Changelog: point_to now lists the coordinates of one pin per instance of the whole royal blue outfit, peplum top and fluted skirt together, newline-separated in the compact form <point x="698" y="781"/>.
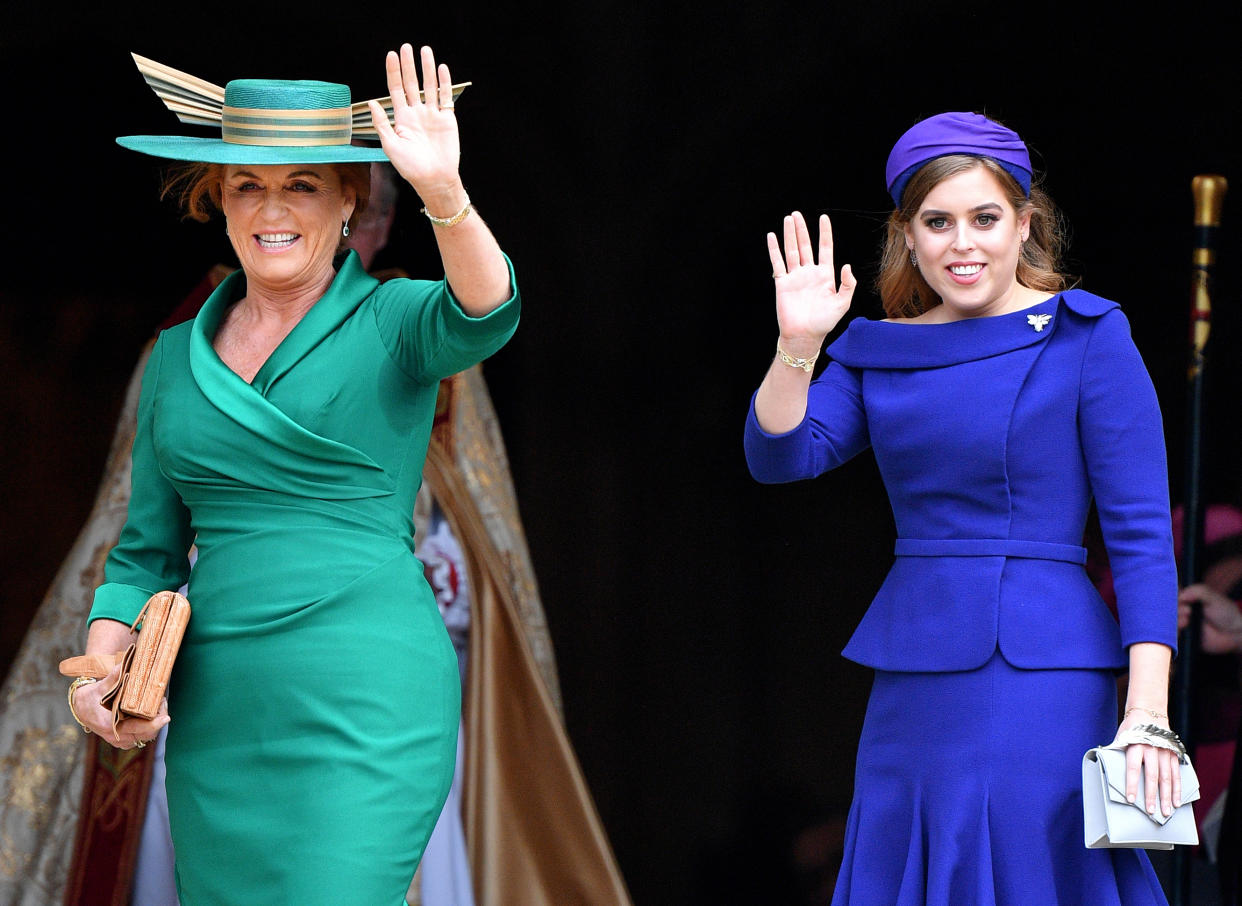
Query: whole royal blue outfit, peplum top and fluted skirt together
<point x="994" y="656"/>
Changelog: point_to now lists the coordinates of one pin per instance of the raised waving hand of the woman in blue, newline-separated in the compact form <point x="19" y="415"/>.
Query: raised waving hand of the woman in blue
<point x="809" y="304"/>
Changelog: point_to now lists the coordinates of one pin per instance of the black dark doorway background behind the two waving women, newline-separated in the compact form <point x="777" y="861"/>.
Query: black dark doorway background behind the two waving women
<point x="630" y="157"/>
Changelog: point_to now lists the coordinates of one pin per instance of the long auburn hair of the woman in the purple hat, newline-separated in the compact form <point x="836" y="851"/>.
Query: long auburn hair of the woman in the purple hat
<point x="905" y="293"/>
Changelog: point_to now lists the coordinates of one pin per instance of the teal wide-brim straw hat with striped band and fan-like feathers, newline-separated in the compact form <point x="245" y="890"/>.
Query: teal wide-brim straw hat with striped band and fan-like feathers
<point x="261" y="121"/>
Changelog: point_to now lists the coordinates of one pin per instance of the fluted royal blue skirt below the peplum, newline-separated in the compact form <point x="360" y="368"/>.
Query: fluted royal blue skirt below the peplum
<point x="968" y="792"/>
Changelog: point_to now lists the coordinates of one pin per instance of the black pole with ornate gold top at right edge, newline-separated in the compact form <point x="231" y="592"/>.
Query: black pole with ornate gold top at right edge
<point x="1209" y="193"/>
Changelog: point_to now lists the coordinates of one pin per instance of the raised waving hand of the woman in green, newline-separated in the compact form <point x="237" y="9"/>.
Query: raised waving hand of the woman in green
<point x="423" y="145"/>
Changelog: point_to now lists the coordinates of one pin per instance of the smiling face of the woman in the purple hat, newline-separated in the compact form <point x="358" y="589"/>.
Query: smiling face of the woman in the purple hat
<point x="968" y="239"/>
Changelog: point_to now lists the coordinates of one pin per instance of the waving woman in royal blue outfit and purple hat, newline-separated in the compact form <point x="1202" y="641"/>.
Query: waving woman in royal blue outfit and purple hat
<point x="998" y="405"/>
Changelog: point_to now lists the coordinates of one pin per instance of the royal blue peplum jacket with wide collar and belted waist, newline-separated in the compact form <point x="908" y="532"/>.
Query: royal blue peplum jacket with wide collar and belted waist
<point x="993" y="436"/>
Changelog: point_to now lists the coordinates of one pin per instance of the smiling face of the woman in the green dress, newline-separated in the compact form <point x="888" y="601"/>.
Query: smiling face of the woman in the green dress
<point x="285" y="222"/>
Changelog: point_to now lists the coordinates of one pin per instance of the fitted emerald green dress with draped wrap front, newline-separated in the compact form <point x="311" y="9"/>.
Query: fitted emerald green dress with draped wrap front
<point x="316" y="699"/>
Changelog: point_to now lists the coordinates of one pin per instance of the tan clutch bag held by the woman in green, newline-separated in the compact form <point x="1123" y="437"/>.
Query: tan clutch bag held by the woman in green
<point x="147" y="664"/>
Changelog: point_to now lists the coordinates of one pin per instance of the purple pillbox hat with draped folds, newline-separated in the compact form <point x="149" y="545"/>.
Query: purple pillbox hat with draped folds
<point x="956" y="134"/>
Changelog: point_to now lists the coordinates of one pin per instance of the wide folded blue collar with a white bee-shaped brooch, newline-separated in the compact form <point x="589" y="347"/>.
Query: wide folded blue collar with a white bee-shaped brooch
<point x="895" y="345"/>
